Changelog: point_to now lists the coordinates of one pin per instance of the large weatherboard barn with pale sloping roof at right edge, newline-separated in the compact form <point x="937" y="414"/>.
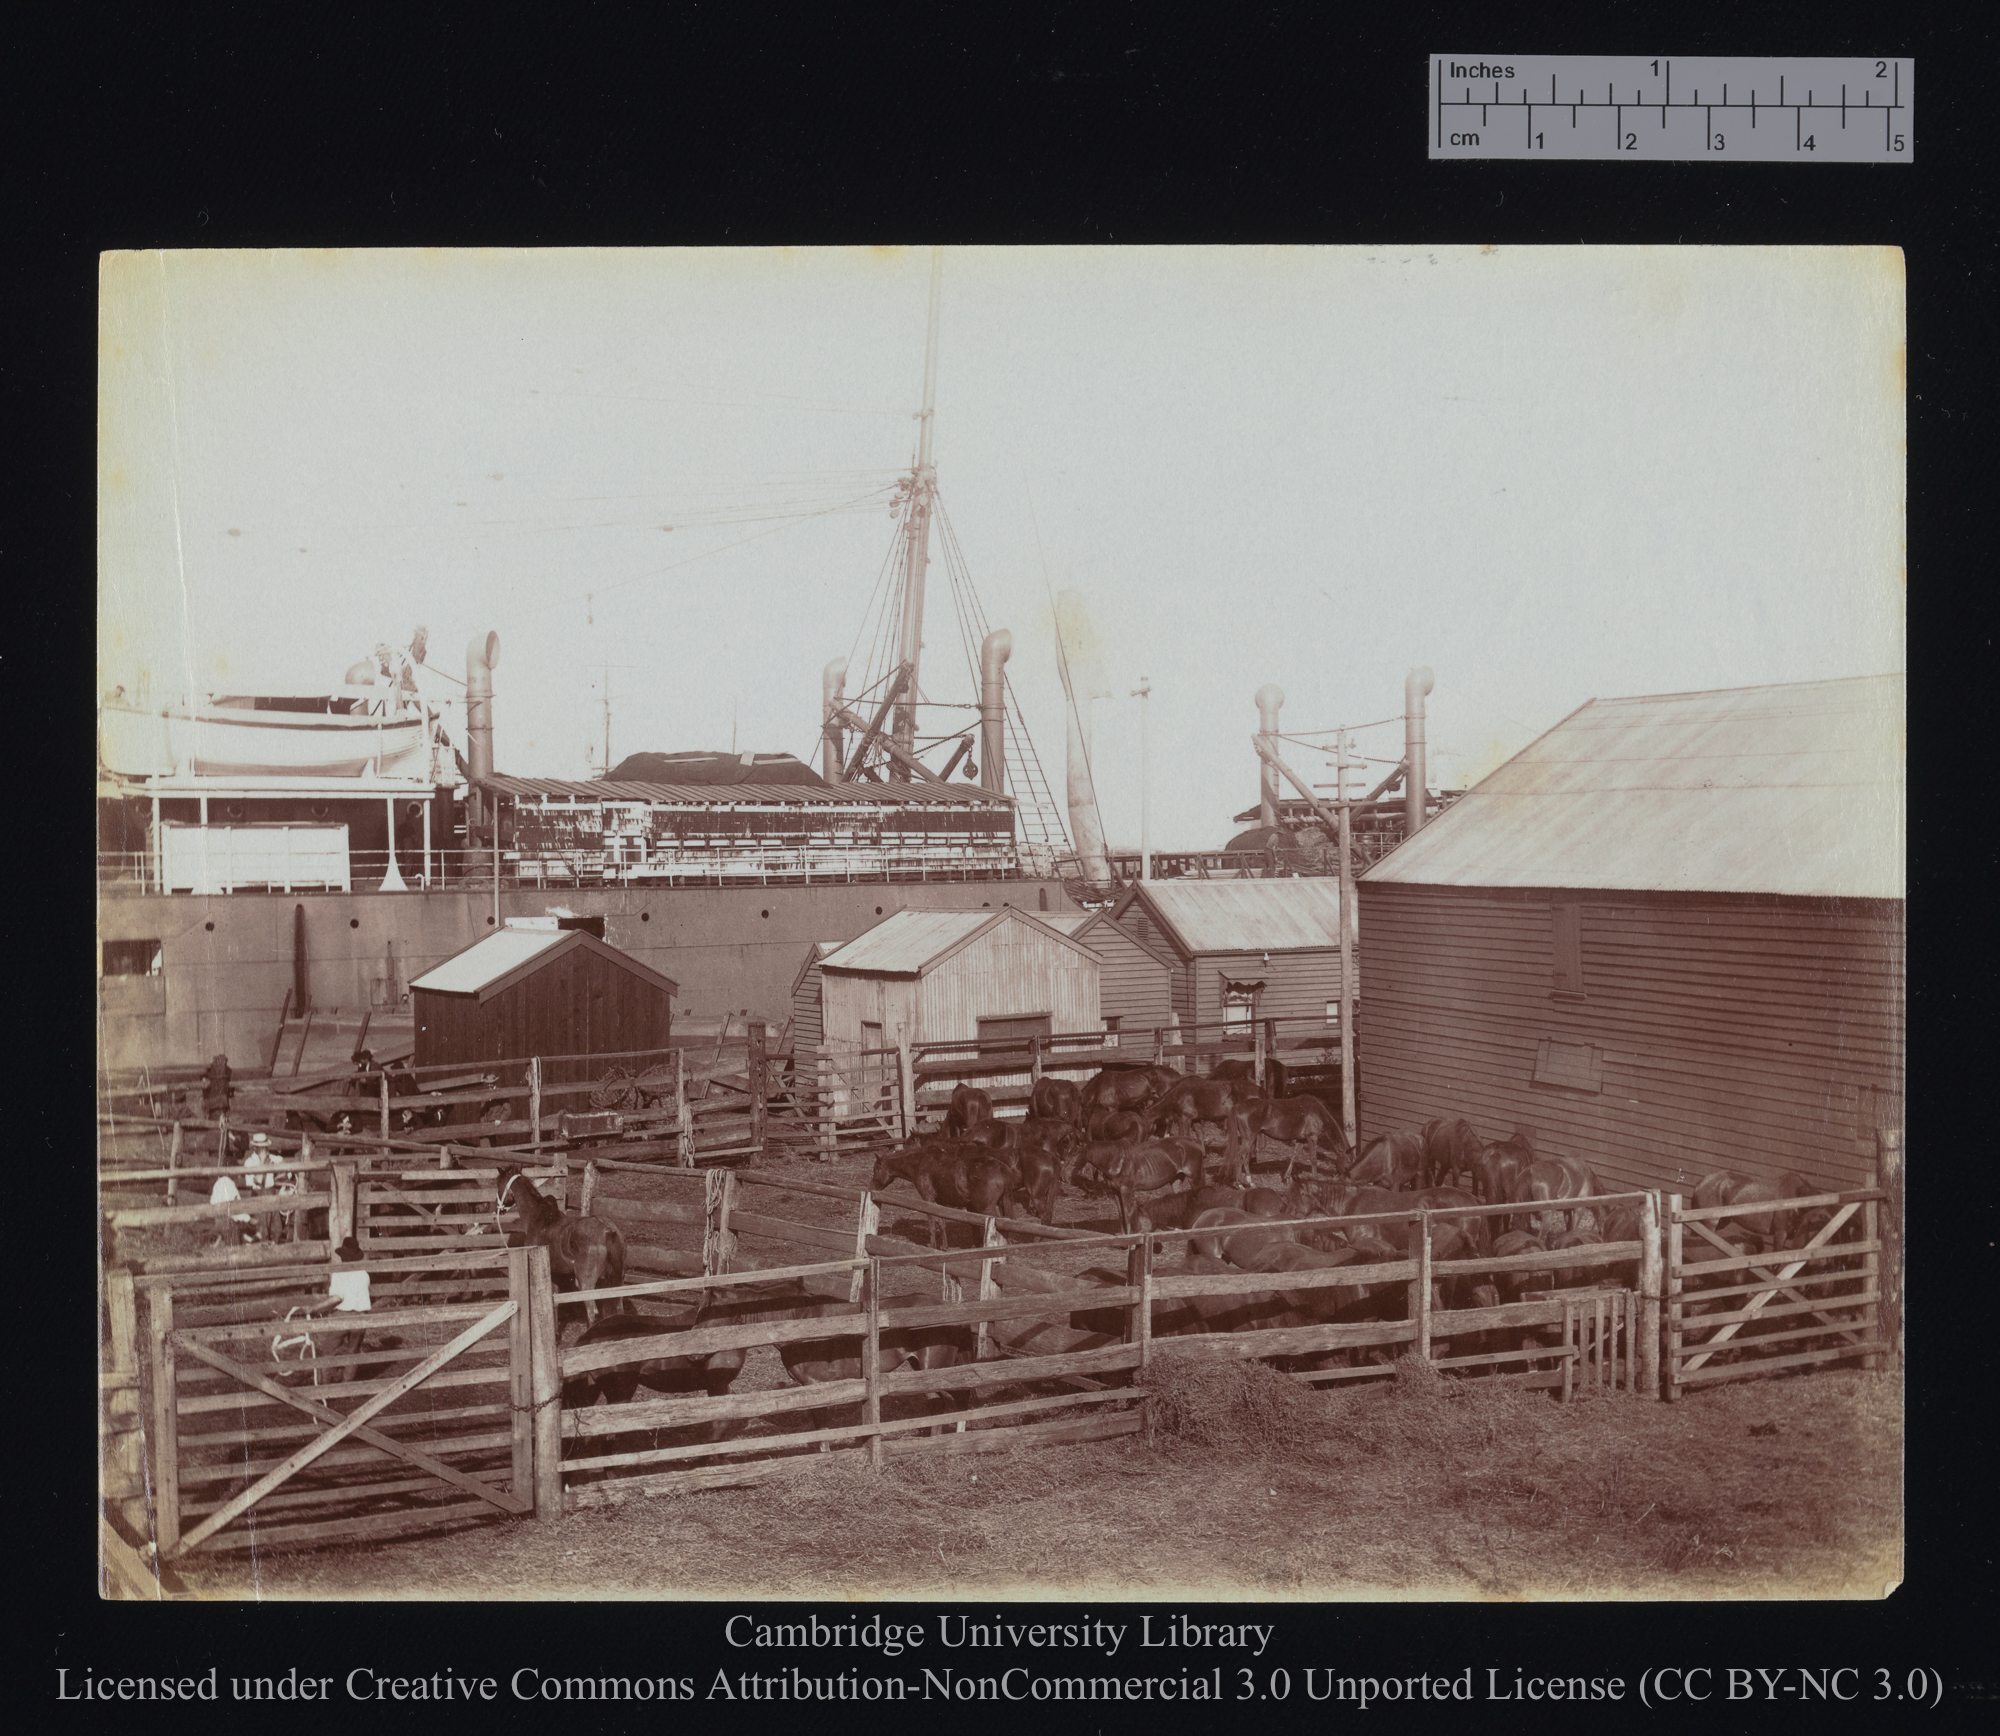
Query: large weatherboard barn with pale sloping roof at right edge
<point x="1669" y="937"/>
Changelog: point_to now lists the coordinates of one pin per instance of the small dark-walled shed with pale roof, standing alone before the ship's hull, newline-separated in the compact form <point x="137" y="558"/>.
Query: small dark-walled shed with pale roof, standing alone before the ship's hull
<point x="541" y="991"/>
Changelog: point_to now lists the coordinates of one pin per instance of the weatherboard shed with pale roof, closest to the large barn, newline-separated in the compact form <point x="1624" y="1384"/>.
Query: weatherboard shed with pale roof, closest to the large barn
<point x="1243" y="949"/>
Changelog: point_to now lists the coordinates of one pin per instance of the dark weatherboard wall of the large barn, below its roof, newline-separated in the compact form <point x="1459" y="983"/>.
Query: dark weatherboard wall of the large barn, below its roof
<point x="1707" y="1031"/>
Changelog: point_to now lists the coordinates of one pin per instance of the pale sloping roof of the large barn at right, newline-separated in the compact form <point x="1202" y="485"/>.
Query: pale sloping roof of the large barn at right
<point x="1793" y="791"/>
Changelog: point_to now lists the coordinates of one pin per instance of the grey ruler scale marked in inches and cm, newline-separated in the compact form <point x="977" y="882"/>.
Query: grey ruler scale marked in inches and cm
<point x="1625" y="109"/>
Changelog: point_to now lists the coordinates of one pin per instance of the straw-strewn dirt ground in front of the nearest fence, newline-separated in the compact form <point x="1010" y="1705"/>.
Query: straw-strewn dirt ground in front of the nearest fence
<point x="1255" y="1489"/>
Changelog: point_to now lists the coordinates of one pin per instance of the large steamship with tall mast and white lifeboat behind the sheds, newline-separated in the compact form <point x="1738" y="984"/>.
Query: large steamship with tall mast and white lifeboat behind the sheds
<point x="275" y="865"/>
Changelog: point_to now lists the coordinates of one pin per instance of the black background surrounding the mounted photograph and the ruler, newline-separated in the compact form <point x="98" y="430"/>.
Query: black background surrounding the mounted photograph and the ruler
<point x="747" y="125"/>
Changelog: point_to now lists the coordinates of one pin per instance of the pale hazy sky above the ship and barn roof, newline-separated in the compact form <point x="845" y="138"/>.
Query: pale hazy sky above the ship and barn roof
<point x="1543" y="473"/>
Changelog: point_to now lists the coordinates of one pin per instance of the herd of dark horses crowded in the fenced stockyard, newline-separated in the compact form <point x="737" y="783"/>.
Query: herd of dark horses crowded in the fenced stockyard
<point x="1145" y="1137"/>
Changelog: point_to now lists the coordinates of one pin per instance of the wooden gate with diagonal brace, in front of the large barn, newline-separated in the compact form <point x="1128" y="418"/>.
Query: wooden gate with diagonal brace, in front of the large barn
<point x="1735" y="1315"/>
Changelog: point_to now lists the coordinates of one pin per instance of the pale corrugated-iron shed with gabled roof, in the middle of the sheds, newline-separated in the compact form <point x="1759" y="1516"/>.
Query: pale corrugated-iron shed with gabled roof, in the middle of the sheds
<point x="957" y="977"/>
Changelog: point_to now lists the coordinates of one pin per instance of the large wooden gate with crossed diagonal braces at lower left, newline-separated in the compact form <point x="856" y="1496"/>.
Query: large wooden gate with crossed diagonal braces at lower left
<point x="279" y="1431"/>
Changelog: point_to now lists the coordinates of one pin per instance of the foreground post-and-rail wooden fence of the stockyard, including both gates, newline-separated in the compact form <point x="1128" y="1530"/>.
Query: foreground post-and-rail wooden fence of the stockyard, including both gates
<point x="239" y="1411"/>
